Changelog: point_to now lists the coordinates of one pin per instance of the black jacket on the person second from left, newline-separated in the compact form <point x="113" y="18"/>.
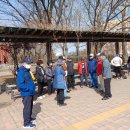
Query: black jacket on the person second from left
<point x="39" y="74"/>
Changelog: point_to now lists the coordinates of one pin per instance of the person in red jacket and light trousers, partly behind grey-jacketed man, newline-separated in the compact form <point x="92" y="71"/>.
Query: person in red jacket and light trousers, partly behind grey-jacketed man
<point x="99" y="73"/>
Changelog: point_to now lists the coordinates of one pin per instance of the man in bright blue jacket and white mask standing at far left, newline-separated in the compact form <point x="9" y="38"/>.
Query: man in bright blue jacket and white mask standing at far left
<point x="27" y="90"/>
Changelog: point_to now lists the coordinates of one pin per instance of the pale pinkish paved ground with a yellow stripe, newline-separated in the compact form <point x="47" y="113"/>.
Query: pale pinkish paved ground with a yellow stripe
<point x="84" y="111"/>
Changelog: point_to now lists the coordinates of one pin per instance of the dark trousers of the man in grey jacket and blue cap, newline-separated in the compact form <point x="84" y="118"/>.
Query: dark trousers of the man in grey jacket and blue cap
<point x="107" y="85"/>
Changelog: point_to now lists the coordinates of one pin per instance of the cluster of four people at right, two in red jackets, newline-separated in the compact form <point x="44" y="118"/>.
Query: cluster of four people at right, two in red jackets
<point x="98" y="70"/>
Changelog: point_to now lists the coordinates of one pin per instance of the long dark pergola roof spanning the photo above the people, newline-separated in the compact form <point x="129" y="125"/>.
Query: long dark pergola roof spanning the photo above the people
<point x="15" y="34"/>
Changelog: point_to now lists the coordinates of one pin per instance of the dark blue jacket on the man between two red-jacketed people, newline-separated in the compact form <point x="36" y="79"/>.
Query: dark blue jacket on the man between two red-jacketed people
<point x="92" y="65"/>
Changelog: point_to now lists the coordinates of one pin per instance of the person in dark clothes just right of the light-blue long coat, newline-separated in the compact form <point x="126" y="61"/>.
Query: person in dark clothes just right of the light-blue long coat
<point x="70" y="74"/>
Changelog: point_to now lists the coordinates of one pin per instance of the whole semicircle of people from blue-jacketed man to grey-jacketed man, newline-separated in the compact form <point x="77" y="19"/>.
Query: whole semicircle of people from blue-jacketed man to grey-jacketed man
<point x="60" y="78"/>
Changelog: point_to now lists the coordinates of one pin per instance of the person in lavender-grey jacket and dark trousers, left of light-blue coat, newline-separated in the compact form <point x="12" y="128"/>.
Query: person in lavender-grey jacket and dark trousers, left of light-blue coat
<point x="49" y="71"/>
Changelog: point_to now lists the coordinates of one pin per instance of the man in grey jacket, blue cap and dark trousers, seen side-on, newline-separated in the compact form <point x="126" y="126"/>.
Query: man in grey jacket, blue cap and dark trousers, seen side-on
<point x="107" y="75"/>
